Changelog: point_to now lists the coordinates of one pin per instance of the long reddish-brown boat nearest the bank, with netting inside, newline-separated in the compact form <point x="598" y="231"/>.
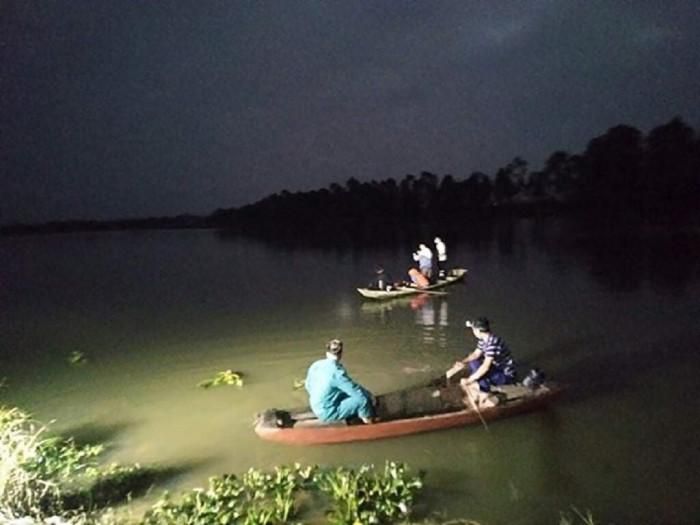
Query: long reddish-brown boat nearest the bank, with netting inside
<point x="409" y="411"/>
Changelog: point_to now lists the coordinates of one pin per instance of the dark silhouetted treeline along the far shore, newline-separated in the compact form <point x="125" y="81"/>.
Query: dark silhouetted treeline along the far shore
<point x="646" y="183"/>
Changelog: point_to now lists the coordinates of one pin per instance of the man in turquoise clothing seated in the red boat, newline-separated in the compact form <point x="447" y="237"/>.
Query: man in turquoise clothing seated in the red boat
<point x="333" y="395"/>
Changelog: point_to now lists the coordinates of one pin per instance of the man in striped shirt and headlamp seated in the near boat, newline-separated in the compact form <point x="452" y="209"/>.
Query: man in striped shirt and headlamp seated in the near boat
<point x="489" y="364"/>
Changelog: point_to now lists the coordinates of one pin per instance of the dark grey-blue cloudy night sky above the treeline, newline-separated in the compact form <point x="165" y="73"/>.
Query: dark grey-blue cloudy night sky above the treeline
<point x="114" y="109"/>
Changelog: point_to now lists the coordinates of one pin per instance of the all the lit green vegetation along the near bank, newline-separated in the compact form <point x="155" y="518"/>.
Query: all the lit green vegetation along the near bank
<point x="52" y="480"/>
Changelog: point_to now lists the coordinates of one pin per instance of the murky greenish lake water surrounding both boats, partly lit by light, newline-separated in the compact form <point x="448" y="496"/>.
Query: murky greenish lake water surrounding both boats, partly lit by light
<point x="155" y="313"/>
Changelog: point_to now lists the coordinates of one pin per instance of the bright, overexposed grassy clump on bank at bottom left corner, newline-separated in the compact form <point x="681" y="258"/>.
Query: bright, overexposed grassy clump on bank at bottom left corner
<point x="44" y="476"/>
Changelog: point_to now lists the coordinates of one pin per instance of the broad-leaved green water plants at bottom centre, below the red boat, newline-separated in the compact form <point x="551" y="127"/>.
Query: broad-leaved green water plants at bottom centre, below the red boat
<point x="366" y="495"/>
